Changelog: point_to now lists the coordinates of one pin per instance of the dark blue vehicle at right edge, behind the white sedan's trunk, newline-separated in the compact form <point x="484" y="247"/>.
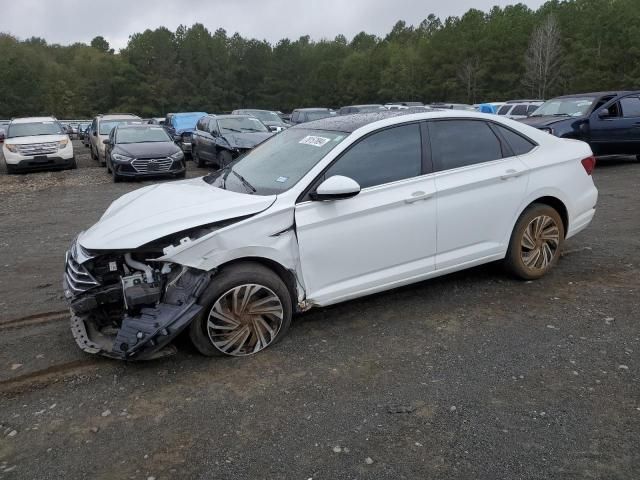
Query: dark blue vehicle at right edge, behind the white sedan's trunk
<point x="608" y="121"/>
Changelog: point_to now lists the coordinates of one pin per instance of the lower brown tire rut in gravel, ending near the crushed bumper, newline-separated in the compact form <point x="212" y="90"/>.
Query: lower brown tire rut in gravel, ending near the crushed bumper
<point x="45" y="377"/>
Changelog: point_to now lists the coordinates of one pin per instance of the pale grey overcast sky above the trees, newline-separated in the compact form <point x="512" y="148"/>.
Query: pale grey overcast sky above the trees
<point x="69" y="21"/>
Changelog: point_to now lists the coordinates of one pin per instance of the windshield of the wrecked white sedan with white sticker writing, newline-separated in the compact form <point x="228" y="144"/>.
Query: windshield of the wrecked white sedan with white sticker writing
<point x="279" y="163"/>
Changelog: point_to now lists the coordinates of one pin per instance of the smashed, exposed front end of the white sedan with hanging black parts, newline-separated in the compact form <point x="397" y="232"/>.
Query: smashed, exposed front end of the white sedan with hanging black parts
<point x="128" y="307"/>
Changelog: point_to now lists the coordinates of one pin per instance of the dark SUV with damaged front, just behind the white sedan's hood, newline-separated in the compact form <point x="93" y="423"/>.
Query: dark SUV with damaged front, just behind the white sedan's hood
<point x="219" y="139"/>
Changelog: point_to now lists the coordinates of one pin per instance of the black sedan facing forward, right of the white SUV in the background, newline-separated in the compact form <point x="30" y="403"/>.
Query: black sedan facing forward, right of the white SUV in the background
<point x="135" y="151"/>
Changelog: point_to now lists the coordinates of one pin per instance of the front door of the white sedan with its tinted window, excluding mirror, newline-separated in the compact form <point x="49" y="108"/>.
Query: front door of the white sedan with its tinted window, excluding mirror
<point x="383" y="236"/>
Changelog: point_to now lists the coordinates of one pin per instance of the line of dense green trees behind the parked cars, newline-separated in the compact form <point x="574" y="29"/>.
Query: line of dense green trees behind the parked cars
<point x="562" y="47"/>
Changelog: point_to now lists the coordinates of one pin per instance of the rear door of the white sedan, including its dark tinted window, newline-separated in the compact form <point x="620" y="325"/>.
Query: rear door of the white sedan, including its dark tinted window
<point x="480" y="186"/>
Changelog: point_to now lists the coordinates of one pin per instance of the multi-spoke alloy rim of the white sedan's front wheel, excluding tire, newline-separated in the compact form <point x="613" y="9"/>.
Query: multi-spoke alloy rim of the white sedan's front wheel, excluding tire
<point x="245" y="320"/>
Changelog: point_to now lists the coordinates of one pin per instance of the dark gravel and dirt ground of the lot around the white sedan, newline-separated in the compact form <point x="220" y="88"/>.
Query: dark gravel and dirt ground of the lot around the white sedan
<point x="473" y="375"/>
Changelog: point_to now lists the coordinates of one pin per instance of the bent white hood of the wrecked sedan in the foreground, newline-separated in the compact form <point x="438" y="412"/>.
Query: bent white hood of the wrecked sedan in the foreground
<point x="155" y="211"/>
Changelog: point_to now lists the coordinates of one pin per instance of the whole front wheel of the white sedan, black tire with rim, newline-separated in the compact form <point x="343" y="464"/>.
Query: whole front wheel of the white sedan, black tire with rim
<point x="265" y="289"/>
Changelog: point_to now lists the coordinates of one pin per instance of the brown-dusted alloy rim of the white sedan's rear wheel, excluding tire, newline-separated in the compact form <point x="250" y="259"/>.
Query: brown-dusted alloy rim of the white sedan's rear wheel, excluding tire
<point x="539" y="243"/>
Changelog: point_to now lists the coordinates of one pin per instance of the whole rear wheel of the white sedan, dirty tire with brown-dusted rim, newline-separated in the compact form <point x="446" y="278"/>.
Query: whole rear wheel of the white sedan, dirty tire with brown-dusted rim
<point x="536" y="242"/>
